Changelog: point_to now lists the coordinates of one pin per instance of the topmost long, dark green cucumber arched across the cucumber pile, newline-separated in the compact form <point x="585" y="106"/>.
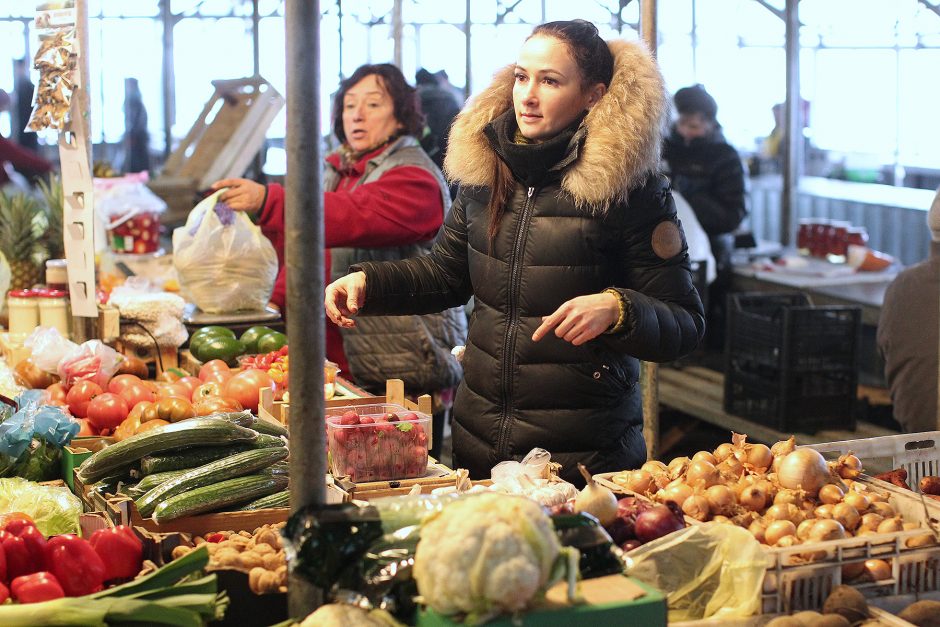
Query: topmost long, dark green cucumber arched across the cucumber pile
<point x="192" y="432"/>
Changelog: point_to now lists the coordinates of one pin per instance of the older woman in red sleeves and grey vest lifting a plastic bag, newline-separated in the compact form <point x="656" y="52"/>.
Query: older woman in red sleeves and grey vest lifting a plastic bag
<point x="383" y="199"/>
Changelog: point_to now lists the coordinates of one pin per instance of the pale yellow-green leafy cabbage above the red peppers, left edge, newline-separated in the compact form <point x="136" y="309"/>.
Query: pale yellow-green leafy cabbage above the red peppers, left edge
<point x="55" y="510"/>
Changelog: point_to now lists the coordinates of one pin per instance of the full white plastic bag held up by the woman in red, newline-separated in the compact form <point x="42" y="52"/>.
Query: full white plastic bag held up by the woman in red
<point x="224" y="262"/>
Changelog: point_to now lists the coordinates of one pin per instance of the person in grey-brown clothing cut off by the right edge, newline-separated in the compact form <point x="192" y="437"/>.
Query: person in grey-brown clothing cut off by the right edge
<point x="908" y="336"/>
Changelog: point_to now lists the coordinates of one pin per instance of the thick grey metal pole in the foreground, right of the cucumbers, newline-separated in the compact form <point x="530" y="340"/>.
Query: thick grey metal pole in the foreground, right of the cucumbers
<point x="304" y="252"/>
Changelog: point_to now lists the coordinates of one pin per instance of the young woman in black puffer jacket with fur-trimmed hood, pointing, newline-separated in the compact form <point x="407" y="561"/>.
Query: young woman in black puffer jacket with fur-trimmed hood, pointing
<point x="567" y="238"/>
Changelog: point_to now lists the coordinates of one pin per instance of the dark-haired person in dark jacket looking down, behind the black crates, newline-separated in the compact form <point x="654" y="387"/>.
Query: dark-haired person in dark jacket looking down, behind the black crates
<point x="707" y="171"/>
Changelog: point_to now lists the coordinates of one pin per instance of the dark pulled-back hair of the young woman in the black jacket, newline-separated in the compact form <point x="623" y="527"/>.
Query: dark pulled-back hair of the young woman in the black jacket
<point x="596" y="64"/>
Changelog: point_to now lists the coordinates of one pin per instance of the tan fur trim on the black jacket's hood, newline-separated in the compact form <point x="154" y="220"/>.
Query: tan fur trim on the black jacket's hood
<point x="624" y="131"/>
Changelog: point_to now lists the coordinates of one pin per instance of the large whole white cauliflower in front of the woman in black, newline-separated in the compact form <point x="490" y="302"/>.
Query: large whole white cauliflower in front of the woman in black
<point x="489" y="553"/>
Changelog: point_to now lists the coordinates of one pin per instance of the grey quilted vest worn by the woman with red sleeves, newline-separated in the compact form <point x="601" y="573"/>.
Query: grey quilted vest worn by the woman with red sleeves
<point x="415" y="349"/>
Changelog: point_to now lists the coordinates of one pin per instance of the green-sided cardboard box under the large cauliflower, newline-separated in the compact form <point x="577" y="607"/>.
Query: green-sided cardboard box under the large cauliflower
<point x="610" y="600"/>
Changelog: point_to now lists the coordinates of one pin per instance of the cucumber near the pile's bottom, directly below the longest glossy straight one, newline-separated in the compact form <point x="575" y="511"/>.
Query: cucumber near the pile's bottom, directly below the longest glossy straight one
<point x="217" y="496"/>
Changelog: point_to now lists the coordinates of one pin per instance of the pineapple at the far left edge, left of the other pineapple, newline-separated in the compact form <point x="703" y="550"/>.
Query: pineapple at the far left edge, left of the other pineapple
<point x="20" y="232"/>
